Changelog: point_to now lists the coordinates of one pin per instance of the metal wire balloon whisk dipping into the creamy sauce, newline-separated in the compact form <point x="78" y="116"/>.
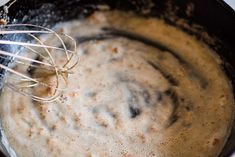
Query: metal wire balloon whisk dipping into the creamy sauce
<point x="40" y="60"/>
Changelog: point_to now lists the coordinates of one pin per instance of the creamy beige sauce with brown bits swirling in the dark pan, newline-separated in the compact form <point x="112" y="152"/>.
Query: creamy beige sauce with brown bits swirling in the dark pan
<point x="127" y="98"/>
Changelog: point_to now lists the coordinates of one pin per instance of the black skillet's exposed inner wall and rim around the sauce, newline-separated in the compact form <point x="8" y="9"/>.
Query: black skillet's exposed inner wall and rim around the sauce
<point x="210" y="18"/>
